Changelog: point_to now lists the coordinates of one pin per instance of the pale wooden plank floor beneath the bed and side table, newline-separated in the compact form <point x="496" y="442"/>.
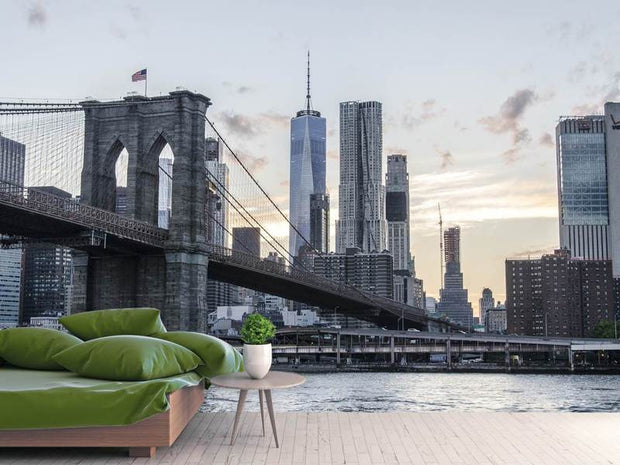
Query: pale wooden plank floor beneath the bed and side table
<point x="374" y="438"/>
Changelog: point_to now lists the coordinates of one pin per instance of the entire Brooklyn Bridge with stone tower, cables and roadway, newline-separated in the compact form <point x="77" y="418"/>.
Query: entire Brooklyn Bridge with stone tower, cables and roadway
<point x="129" y="260"/>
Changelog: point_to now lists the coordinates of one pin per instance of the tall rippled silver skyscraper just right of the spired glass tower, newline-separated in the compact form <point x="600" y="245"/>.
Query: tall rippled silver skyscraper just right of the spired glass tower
<point x="361" y="200"/>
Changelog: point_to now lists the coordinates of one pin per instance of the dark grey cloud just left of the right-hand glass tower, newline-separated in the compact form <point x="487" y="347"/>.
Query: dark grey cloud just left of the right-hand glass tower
<point x="507" y="121"/>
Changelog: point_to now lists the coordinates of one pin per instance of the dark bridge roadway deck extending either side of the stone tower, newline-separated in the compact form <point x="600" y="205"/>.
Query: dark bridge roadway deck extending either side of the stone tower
<point x="29" y="214"/>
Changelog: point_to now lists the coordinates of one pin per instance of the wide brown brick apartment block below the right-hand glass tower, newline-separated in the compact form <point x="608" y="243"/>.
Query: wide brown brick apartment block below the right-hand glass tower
<point x="557" y="295"/>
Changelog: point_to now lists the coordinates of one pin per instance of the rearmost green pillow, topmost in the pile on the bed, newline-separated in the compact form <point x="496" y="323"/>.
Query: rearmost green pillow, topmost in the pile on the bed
<point x="101" y="323"/>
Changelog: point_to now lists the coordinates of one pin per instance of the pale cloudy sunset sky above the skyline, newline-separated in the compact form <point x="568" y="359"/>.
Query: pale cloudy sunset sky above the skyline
<point x="471" y="93"/>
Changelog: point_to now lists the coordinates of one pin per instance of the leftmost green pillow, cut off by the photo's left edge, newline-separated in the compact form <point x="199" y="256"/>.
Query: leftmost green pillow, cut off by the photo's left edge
<point x="34" y="348"/>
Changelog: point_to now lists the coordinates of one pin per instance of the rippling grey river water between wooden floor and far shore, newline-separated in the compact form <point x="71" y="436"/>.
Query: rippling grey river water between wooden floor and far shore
<point x="379" y="392"/>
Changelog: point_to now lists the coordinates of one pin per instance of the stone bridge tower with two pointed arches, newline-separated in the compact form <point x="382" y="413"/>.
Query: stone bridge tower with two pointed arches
<point x="175" y="279"/>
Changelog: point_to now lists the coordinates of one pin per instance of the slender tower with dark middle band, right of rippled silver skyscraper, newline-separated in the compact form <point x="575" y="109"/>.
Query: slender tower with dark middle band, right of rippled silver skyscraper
<point x="397" y="212"/>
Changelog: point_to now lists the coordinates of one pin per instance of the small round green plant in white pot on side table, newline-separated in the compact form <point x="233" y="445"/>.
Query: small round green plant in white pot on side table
<point x="256" y="333"/>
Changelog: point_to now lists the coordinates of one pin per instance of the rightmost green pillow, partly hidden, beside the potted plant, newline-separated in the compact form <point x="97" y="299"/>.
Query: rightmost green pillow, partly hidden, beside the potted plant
<point x="219" y="357"/>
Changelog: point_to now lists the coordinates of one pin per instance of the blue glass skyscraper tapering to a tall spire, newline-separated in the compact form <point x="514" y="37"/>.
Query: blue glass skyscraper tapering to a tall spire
<point x="308" y="166"/>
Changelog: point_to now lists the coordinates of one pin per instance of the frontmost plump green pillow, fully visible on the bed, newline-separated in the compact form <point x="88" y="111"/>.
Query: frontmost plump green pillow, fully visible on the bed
<point x="128" y="358"/>
